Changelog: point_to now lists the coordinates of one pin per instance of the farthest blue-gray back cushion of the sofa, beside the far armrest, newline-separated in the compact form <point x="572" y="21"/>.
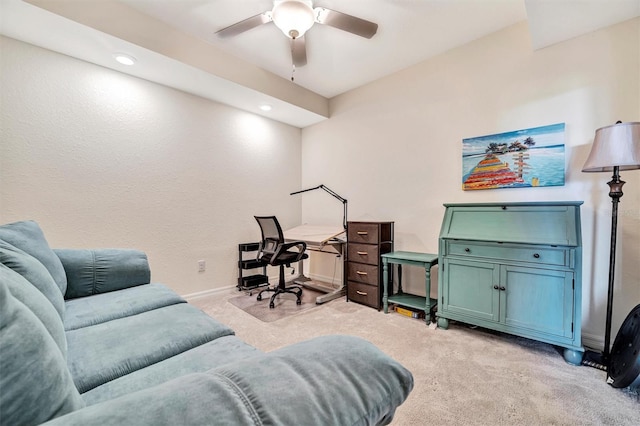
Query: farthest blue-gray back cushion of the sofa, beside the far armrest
<point x="28" y="237"/>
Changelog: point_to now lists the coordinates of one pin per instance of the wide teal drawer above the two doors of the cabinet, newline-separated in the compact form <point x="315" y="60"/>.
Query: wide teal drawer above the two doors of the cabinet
<point x="541" y="255"/>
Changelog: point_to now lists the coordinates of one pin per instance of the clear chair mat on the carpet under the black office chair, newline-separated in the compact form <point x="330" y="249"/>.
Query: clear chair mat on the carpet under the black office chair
<point x="285" y="304"/>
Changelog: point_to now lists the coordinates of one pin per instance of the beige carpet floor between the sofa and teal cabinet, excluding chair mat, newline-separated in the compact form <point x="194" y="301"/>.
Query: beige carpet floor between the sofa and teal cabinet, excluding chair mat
<point x="463" y="376"/>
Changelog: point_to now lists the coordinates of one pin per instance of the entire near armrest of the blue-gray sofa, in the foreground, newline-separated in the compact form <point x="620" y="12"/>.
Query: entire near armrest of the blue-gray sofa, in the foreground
<point x="330" y="380"/>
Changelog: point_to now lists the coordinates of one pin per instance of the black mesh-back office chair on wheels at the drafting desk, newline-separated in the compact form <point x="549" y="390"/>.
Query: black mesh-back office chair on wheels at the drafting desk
<point x="276" y="252"/>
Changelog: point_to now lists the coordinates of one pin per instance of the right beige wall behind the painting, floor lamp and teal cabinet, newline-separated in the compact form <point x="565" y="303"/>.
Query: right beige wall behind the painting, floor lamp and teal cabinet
<point x="393" y="148"/>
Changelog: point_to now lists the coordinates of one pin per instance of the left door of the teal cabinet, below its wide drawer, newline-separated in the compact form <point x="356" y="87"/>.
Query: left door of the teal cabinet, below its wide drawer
<point x="469" y="289"/>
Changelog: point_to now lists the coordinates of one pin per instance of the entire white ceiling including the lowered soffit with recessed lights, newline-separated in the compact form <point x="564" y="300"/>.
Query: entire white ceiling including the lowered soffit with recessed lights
<point x="255" y="67"/>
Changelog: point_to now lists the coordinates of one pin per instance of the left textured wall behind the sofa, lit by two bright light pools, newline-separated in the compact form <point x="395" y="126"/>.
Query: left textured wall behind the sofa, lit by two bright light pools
<point x="103" y="159"/>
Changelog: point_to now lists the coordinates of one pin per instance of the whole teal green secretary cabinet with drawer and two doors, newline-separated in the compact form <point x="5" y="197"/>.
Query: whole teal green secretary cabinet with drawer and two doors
<point x="515" y="268"/>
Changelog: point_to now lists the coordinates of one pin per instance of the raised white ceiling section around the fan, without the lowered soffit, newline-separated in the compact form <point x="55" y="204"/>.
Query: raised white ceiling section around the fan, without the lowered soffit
<point x="409" y="32"/>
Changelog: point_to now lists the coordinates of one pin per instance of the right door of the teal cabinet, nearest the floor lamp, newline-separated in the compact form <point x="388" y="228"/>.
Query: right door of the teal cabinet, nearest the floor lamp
<point x="537" y="299"/>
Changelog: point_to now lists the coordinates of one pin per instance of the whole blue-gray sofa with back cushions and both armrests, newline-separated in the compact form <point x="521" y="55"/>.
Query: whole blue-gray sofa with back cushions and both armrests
<point x="86" y="339"/>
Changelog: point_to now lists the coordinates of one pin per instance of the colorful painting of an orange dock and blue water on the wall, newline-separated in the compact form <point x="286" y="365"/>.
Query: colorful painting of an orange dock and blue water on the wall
<point x="518" y="159"/>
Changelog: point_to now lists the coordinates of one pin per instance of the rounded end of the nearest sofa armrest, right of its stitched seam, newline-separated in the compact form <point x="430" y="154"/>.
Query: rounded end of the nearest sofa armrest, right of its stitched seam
<point x="329" y="380"/>
